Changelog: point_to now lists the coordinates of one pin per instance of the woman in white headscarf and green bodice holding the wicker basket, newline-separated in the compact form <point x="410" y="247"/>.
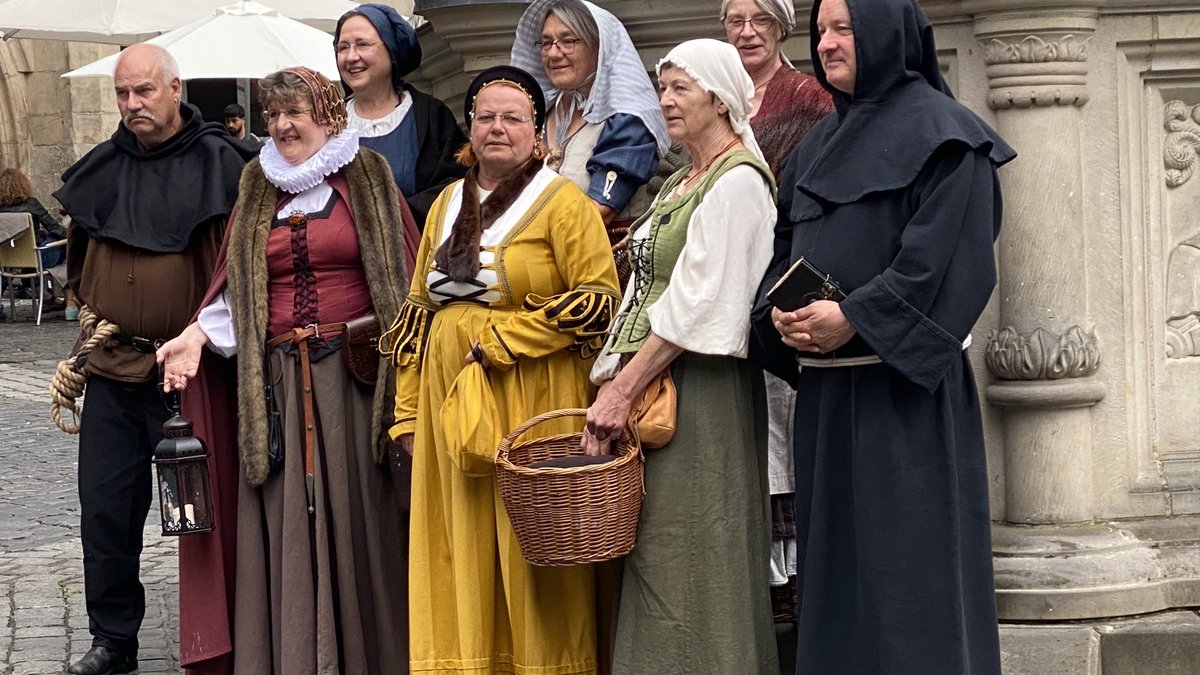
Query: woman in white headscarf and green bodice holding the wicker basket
<point x="694" y="595"/>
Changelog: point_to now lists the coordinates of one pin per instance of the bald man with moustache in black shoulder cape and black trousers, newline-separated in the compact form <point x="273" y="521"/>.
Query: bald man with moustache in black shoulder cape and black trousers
<point x="148" y="208"/>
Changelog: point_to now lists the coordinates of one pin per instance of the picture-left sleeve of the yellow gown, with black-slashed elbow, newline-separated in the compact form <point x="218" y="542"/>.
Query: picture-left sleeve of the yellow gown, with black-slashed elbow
<point x="404" y="343"/>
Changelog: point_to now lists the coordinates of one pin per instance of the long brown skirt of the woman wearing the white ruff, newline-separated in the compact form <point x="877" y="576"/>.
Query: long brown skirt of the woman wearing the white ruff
<point x="327" y="593"/>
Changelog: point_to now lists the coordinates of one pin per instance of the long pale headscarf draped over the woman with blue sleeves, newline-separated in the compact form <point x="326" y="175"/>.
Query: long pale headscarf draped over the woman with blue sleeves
<point x="621" y="85"/>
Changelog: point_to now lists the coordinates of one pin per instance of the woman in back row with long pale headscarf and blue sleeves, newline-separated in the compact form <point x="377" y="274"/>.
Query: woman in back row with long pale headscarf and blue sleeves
<point x="604" y="130"/>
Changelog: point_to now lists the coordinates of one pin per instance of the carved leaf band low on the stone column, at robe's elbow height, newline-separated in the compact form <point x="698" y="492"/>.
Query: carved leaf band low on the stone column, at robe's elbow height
<point x="1041" y="355"/>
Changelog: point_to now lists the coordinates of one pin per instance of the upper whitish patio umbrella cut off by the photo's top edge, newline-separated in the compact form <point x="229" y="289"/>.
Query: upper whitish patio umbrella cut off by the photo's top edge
<point x="125" y="22"/>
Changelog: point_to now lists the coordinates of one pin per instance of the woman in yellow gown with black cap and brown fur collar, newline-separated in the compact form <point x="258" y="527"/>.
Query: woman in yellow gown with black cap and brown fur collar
<point x="511" y="301"/>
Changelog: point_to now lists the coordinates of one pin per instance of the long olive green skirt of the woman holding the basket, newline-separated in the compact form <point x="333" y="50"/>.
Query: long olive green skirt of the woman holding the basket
<point x="694" y="595"/>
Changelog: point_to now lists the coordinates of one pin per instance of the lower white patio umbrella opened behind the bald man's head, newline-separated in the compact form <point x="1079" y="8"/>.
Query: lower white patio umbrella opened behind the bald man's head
<point x="247" y="40"/>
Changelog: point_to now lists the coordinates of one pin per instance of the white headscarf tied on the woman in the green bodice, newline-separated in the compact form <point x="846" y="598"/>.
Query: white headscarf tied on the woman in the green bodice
<point x="717" y="69"/>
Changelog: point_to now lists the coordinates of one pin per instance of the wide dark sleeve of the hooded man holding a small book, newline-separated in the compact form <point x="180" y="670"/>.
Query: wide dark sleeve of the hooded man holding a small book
<point x="917" y="313"/>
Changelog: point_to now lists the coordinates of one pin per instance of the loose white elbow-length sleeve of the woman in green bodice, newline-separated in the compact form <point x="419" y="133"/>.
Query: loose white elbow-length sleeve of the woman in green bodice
<point x="706" y="307"/>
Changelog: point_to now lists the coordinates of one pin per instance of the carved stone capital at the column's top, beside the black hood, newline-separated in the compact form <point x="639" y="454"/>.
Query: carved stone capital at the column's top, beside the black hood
<point x="1037" y="58"/>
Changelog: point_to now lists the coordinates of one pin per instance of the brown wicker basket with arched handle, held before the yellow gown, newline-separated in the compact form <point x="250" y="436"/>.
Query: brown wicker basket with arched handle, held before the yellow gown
<point x="571" y="516"/>
